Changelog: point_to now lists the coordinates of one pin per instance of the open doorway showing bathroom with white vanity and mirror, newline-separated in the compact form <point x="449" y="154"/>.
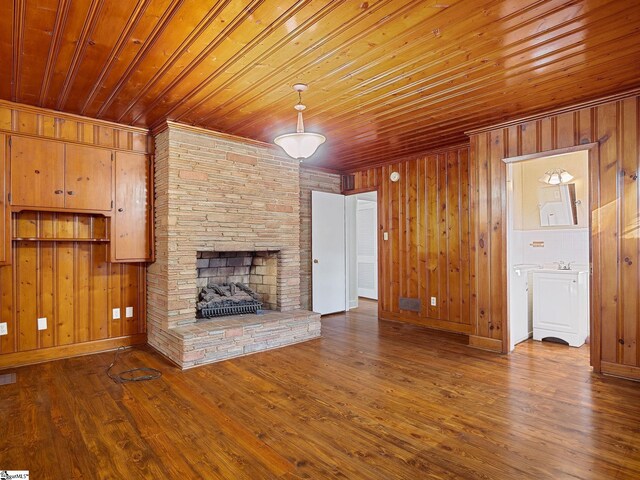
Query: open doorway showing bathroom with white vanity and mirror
<point x="548" y="255"/>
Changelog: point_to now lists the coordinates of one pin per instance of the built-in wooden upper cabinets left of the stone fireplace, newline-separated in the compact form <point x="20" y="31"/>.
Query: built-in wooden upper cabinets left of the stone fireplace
<point x="59" y="176"/>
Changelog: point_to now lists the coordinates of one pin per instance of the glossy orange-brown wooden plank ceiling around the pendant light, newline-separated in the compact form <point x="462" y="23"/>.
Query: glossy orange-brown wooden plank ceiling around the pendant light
<point x="388" y="78"/>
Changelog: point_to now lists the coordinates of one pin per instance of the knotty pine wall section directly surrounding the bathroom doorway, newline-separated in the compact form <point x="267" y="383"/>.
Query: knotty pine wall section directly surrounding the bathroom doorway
<point x="615" y="242"/>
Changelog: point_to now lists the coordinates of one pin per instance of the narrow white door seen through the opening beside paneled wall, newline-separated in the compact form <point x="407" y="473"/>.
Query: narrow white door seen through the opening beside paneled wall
<point x="367" y="249"/>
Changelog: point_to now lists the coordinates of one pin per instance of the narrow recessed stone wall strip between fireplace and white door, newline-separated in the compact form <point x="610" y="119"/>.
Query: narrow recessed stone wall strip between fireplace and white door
<point x="319" y="181"/>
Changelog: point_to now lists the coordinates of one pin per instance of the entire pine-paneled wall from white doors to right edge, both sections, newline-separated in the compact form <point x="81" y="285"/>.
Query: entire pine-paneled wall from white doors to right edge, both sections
<point x="447" y="222"/>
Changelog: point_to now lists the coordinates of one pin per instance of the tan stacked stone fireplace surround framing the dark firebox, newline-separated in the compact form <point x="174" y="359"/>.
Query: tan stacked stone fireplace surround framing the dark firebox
<point x="216" y="193"/>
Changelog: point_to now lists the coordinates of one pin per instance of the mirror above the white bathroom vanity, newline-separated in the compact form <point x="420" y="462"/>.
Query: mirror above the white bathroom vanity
<point x="558" y="205"/>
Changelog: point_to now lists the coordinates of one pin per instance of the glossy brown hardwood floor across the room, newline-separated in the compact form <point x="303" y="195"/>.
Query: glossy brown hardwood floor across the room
<point x="368" y="400"/>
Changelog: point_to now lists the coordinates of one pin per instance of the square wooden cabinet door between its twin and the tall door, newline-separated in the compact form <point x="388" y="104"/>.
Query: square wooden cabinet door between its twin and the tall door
<point x="87" y="178"/>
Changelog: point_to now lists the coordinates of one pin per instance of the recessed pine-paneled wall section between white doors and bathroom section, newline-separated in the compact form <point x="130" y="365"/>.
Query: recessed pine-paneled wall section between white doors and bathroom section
<point x="427" y="216"/>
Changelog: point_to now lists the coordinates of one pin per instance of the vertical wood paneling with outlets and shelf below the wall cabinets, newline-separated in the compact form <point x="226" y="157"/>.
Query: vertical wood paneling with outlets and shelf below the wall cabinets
<point x="69" y="282"/>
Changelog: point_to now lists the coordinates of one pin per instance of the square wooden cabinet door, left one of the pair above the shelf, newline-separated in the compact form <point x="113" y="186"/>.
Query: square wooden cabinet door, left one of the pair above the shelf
<point x="37" y="173"/>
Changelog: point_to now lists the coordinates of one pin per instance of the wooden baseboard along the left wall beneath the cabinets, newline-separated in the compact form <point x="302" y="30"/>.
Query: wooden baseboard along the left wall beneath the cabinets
<point x="19" y="359"/>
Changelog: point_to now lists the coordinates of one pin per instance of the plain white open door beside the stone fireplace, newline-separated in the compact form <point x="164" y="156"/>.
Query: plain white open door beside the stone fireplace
<point x="328" y="253"/>
